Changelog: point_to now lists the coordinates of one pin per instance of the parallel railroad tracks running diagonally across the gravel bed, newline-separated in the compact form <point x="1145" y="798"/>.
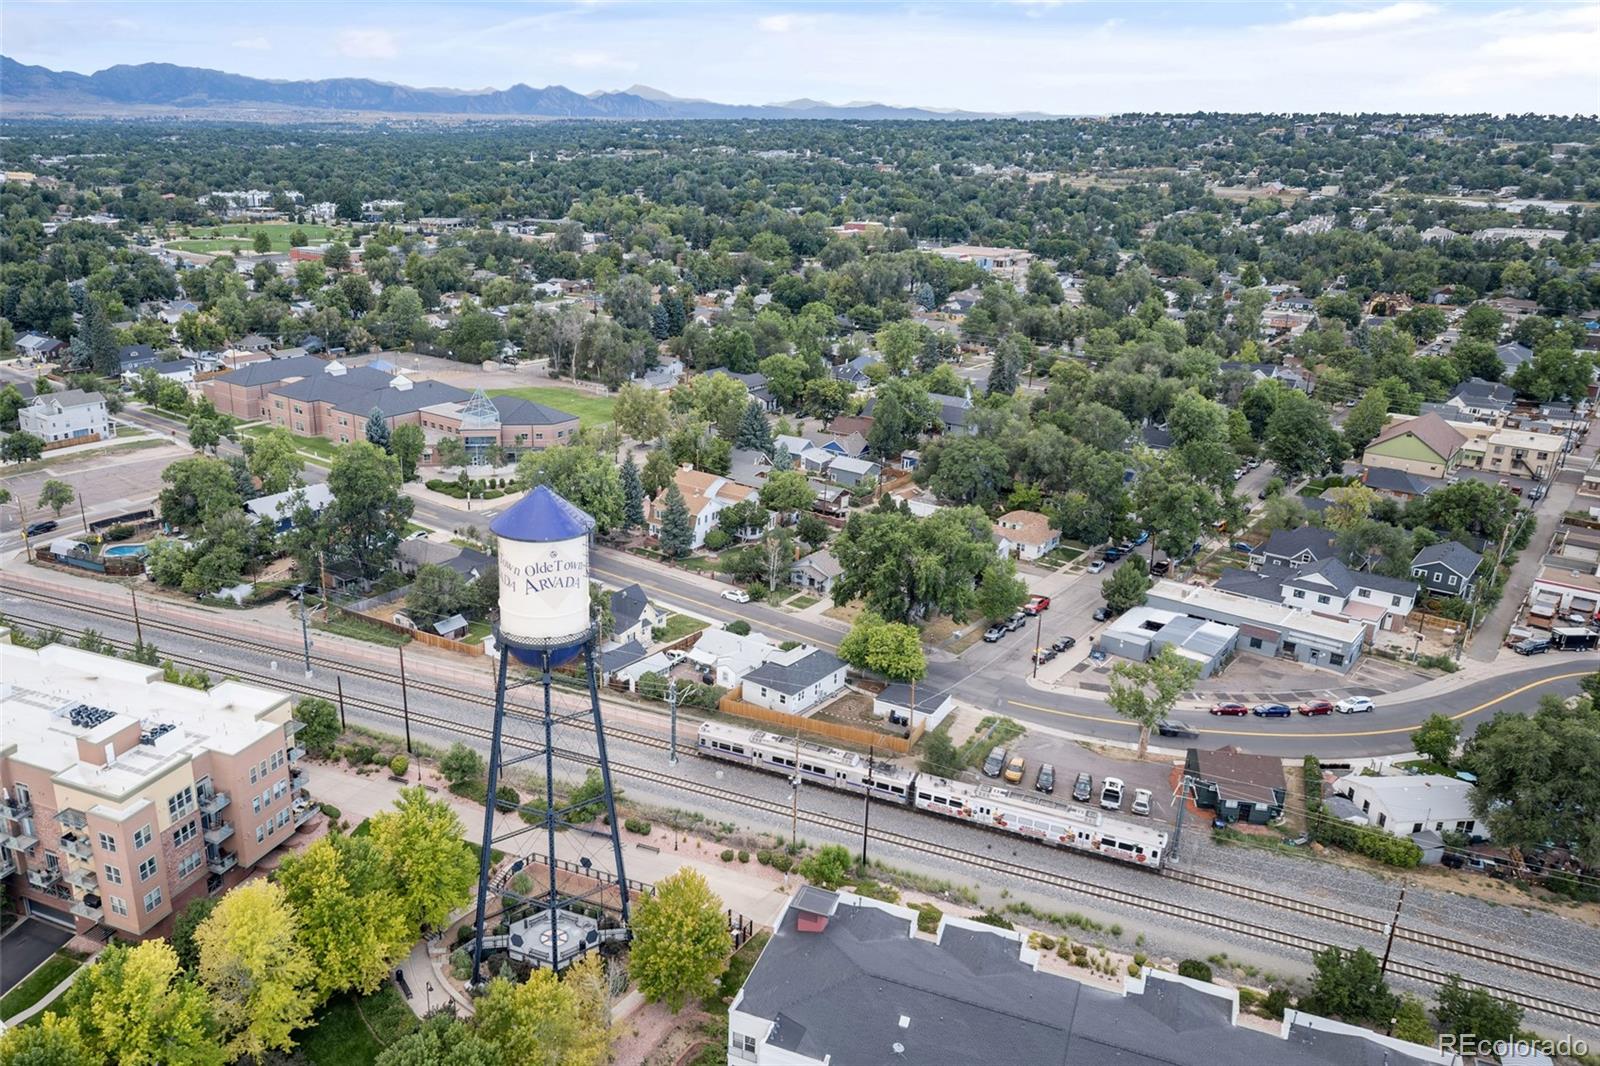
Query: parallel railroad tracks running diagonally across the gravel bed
<point x="1548" y="971"/>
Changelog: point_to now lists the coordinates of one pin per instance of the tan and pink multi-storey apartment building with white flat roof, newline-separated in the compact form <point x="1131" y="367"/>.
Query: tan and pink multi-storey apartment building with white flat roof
<point x="124" y="798"/>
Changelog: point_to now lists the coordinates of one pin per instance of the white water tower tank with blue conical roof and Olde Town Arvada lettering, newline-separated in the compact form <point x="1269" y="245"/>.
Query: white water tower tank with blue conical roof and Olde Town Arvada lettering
<point x="543" y="574"/>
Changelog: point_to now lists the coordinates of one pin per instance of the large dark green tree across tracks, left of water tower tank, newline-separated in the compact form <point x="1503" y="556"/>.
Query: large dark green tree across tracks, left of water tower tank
<point x="369" y="515"/>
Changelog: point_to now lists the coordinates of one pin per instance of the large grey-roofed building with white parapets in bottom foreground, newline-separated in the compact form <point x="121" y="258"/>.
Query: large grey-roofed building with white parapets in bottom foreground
<point x="849" y="980"/>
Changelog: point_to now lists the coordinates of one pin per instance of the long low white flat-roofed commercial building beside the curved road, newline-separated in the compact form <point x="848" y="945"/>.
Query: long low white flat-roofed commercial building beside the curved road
<point x="1265" y="628"/>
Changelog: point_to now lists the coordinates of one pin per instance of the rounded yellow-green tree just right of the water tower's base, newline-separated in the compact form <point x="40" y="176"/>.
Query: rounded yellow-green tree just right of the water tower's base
<point x="681" y="940"/>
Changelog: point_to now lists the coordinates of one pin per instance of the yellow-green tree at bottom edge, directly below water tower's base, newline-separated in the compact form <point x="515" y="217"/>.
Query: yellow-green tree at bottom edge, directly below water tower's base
<point x="542" y="1020"/>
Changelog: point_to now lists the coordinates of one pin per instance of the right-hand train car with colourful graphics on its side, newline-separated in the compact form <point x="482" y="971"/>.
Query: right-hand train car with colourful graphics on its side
<point x="1076" y="828"/>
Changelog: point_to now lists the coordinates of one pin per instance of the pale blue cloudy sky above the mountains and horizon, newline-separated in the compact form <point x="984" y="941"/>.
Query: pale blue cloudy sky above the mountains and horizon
<point x="1028" y="55"/>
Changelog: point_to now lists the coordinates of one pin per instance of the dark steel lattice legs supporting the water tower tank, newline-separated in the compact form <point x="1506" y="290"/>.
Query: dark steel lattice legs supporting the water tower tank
<point x="570" y="936"/>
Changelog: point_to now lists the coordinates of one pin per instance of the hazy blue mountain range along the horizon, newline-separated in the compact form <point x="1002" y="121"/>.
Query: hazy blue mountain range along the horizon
<point x="164" y="87"/>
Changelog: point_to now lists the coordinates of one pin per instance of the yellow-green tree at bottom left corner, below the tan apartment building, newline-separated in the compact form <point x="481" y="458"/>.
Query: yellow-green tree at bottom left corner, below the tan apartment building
<point x="137" y="1006"/>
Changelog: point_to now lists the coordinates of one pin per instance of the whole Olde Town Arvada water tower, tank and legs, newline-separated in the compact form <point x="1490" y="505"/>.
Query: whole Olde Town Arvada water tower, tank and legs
<point x="546" y="623"/>
